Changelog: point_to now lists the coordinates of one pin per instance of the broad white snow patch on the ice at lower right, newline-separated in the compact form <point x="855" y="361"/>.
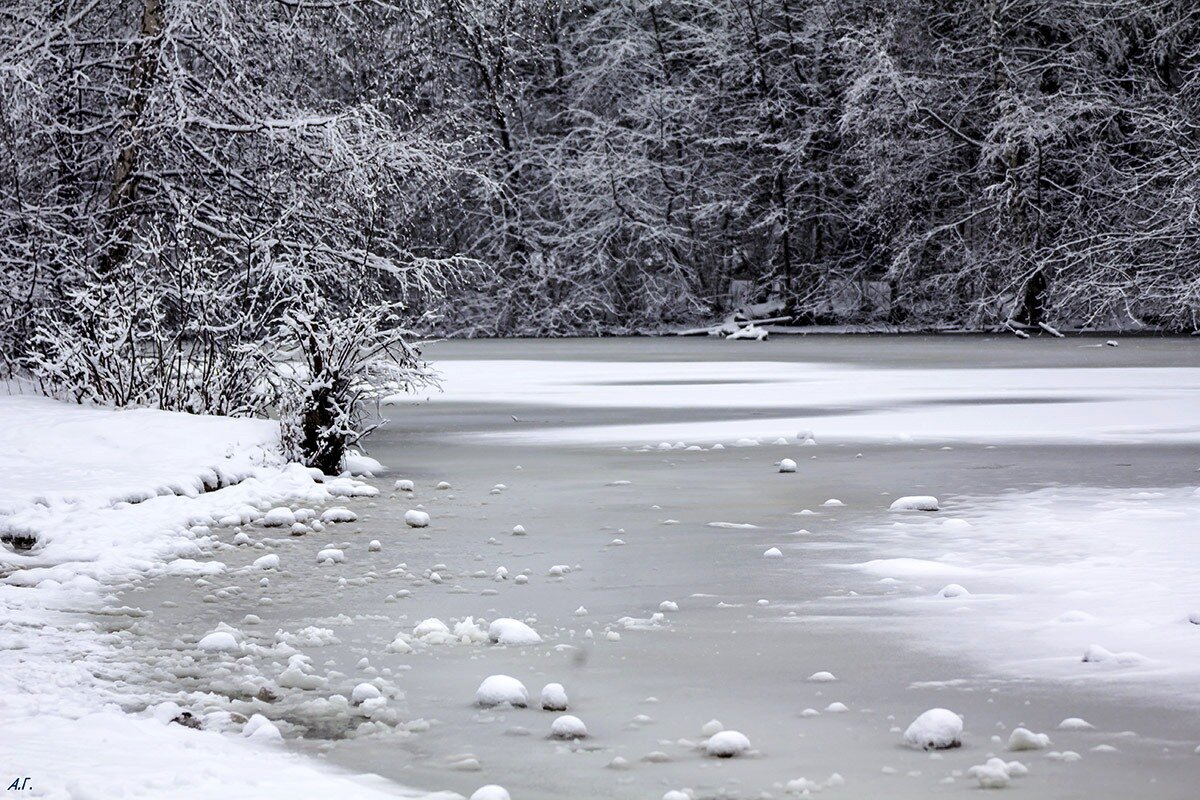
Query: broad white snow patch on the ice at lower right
<point x="1073" y="585"/>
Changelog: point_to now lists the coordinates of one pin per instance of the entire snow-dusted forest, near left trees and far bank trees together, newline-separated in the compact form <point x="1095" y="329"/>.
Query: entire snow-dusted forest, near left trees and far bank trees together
<point x="219" y="171"/>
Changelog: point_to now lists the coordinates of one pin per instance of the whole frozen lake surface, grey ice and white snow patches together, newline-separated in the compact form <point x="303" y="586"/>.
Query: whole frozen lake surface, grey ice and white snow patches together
<point x="1066" y="473"/>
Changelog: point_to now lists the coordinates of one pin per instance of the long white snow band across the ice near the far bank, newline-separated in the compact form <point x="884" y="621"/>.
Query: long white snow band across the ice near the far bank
<point x="1053" y="405"/>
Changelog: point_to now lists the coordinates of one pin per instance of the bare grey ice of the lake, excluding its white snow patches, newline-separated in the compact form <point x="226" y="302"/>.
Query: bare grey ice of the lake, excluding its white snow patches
<point x="748" y="633"/>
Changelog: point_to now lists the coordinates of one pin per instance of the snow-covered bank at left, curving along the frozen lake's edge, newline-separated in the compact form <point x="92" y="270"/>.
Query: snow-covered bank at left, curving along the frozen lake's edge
<point x="112" y="498"/>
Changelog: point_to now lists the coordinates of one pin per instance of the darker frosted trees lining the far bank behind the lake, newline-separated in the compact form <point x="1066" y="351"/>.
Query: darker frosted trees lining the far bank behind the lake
<point x="926" y="164"/>
